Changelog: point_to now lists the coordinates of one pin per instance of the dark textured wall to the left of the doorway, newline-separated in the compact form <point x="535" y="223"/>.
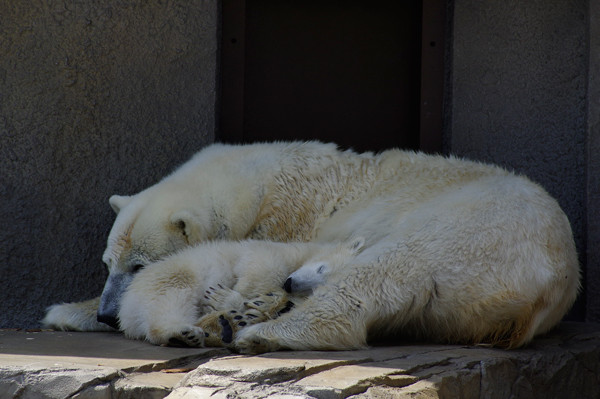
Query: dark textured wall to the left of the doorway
<point x="96" y="98"/>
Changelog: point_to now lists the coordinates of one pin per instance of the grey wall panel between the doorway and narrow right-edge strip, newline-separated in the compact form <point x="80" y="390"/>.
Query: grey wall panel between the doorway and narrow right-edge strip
<point x="519" y="71"/>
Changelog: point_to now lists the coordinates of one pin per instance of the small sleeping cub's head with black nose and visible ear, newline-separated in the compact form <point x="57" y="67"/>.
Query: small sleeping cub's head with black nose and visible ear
<point x="321" y="266"/>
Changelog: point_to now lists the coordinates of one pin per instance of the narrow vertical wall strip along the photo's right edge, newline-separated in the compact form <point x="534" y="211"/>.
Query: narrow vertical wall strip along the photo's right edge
<point x="593" y="166"/>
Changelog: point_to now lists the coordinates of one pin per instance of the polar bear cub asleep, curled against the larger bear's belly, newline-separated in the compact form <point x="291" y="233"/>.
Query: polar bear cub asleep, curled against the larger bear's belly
<point x="165" y="302"/>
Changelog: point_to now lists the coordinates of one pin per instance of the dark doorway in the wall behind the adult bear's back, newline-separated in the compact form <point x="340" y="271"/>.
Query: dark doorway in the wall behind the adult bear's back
<point x="342" y="71"/>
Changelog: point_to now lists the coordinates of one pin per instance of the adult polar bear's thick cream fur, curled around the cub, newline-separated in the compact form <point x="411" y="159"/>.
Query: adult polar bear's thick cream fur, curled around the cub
<point x="454" y="250"/>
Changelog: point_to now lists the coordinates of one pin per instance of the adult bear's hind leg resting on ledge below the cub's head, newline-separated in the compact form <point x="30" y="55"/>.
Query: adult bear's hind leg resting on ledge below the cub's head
<point x="330" y="319"/>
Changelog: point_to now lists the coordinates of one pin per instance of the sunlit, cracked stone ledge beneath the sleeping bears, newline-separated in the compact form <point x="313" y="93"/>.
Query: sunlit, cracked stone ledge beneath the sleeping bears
<point x="563" y="364"/>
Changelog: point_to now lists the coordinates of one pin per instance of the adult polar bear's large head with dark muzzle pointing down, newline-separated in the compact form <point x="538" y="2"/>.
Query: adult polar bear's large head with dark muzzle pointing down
<point x="148" y="227"/>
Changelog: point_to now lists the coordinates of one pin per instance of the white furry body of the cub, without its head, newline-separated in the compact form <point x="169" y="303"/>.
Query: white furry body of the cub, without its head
<point x="167" y="297"/>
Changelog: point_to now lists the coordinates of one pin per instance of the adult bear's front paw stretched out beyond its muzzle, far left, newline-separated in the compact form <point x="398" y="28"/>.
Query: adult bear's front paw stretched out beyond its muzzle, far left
<point x="76" y="316"/>
